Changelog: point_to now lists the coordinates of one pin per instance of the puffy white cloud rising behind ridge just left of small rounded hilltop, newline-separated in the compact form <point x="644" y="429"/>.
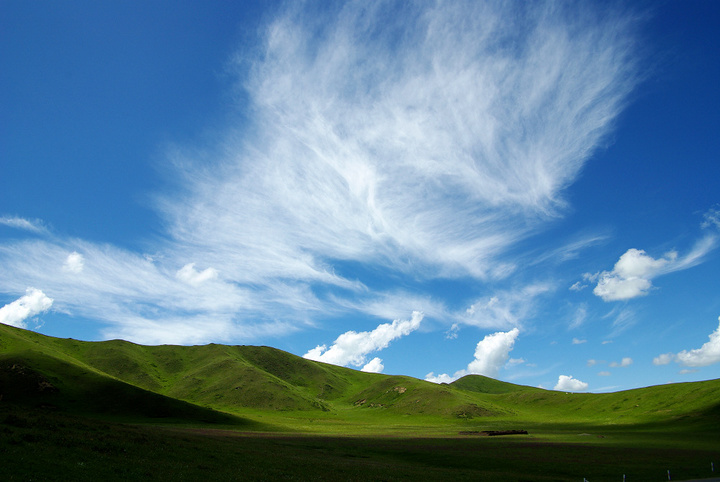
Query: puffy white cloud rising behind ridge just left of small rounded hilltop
<point x="491" y="354"/>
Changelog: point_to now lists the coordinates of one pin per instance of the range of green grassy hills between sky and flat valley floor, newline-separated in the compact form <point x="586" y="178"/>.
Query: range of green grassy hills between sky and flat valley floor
<point x="220" y="383"/>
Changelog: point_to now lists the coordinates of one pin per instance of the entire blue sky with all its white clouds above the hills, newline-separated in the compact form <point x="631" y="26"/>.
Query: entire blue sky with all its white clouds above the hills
<point x="528" y="191"/>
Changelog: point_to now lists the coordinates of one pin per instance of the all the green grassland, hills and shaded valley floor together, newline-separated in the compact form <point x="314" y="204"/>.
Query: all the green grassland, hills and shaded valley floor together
<point x="117" y="411"/>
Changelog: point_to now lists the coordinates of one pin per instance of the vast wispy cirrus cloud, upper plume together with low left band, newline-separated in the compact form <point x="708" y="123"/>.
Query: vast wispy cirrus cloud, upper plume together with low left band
<point x="422" y="140"/>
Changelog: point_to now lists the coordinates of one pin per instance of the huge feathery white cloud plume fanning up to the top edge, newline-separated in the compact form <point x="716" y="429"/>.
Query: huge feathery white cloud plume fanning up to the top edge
<point x="429" y="164"/>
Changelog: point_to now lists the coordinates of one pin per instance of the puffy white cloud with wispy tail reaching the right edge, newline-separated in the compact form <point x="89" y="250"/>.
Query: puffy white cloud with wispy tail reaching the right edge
<point x="633" y="273"/>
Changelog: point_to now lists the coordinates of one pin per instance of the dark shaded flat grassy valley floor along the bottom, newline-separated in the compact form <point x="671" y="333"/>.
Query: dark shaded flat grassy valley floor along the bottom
<point x="41" y="445"/>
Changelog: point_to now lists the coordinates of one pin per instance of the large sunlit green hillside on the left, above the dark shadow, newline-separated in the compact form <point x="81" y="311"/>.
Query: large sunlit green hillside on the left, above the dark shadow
<point x="231" y="378"/>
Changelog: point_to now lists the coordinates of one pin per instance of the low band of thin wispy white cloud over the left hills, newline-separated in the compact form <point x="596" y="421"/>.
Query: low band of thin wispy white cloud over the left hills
<point x="138" y="299"/>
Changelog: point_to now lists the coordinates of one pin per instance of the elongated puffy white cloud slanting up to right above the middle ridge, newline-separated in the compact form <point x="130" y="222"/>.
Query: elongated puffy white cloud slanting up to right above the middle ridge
<point x="351" y="348"/>
